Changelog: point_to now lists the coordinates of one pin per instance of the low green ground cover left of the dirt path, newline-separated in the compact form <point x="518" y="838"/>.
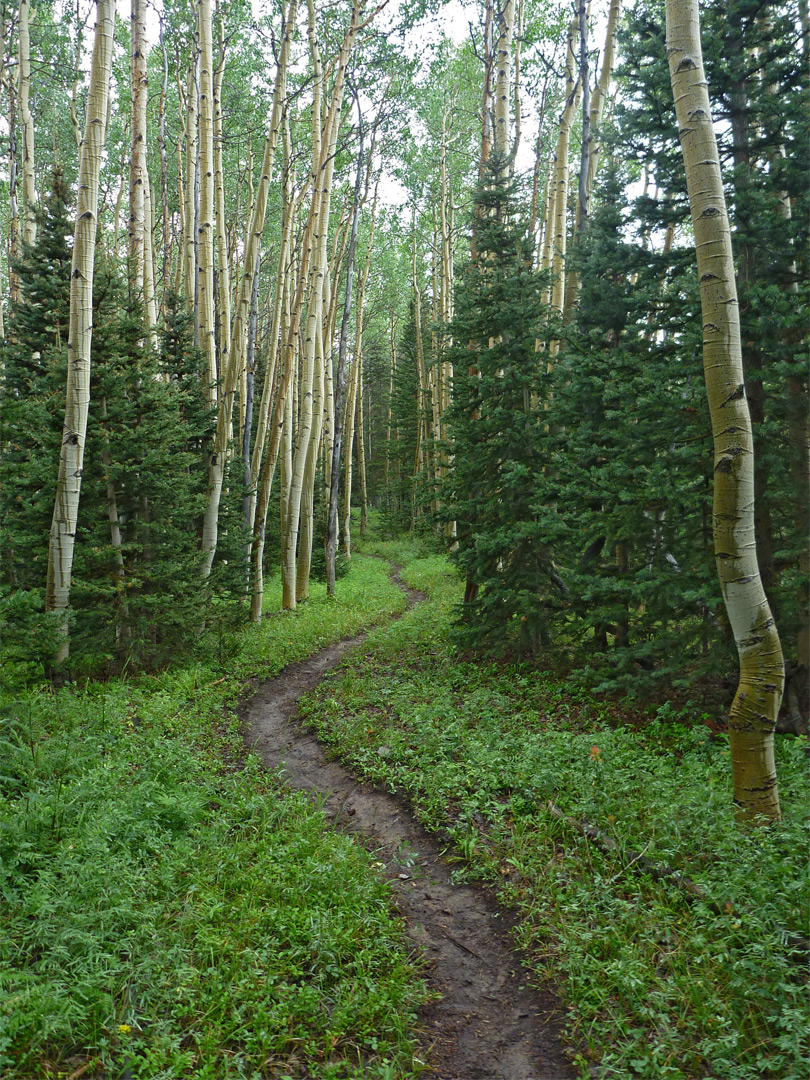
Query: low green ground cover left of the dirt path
<point x="168" y="910"/>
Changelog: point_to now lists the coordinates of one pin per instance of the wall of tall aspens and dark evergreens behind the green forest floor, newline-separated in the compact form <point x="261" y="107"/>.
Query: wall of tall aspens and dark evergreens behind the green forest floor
<point x="440" y="265"/>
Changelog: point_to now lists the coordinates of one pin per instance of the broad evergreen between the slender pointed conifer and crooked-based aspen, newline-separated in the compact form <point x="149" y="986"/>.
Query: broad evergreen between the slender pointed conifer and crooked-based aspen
<point x="630" y="491"/>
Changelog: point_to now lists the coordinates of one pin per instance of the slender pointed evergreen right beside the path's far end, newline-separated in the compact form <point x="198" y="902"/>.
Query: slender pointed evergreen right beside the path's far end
<point x="497" y="430"/>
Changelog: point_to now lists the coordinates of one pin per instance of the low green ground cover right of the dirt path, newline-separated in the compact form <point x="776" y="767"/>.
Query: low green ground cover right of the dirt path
<point x="659" y="984"/>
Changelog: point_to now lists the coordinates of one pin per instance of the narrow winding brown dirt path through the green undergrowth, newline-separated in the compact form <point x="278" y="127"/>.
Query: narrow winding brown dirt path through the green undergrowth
<point x="489" y="1024"/>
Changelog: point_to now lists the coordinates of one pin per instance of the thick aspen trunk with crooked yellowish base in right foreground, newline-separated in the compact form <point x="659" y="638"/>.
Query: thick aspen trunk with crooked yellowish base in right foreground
<point x="753" y="714"/>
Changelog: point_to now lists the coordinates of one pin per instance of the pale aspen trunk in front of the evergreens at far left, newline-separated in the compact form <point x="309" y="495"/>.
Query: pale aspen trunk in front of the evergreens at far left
<point x="77" y="401"/>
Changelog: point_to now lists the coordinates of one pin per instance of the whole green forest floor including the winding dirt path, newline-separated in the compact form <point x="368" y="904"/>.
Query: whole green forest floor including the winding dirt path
<point x="406" y="883"/>
